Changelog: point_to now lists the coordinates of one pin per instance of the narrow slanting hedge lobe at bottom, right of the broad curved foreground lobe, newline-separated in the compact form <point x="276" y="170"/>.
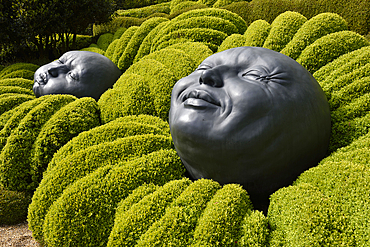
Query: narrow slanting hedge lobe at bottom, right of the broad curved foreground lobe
<point x="144" y="213"/>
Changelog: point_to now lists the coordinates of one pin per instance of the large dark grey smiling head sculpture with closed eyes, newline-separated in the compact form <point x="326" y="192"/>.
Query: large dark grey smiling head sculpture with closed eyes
<point x="251" y="116"/>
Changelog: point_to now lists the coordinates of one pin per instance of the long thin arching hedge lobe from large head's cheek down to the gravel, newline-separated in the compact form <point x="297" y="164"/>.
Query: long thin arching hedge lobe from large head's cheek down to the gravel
<point x="81" y="163"/>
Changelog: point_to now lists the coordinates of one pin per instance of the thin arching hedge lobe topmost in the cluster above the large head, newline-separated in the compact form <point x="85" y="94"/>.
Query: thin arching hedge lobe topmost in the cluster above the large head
<point x="220" y="13"/>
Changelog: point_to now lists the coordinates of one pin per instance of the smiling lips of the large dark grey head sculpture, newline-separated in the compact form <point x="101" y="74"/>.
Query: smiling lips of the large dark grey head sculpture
<point x="200" y="98"/>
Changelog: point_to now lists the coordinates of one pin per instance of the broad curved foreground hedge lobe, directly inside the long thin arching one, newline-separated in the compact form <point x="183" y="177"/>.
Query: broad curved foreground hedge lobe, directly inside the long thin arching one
<point x="94" y="198"/>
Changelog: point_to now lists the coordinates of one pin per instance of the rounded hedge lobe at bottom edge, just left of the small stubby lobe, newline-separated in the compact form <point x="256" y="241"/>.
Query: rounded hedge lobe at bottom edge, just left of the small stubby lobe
<point x="220" y="223"/>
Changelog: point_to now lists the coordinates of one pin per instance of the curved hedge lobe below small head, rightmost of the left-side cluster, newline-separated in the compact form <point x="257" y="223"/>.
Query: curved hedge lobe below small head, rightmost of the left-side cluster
<point x="72" y="119"/>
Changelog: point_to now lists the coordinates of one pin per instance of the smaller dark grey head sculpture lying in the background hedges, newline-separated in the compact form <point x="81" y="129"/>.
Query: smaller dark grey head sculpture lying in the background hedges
<point x="79" y="73"/>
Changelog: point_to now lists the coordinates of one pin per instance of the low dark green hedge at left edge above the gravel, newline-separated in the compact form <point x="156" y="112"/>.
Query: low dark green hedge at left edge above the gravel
<point x="13" y="207"/>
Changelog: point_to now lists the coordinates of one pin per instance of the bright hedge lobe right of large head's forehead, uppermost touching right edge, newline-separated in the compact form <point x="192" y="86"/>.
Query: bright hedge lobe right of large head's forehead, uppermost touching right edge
<point x="329" y="47"/>
